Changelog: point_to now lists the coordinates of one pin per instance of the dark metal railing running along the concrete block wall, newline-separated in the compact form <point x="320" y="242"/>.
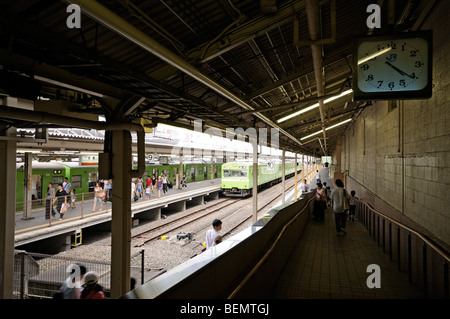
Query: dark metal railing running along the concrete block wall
<point x="426" y="264"/>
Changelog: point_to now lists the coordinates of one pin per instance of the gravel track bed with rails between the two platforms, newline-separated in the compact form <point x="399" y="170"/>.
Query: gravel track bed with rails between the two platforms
<point x="169" y="253"/>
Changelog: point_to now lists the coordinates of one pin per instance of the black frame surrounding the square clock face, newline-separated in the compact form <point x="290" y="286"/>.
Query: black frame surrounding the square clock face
<point x="424" y="93"/>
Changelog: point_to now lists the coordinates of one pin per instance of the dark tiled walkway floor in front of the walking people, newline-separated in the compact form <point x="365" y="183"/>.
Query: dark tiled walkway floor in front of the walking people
<point x="327" y="266"/>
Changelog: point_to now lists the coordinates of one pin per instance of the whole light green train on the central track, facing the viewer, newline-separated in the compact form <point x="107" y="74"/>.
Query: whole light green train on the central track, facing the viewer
<point x="237" y="177"/>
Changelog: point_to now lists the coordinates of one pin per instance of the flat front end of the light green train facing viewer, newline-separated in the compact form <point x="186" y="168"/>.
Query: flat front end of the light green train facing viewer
<point x="236" y="179"/>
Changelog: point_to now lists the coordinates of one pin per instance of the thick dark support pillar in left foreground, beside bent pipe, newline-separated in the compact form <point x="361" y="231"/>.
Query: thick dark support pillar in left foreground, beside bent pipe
<point x="121" y="213"/>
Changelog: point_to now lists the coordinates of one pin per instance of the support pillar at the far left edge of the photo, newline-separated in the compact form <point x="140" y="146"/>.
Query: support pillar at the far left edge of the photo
<point x="7" y="214"/>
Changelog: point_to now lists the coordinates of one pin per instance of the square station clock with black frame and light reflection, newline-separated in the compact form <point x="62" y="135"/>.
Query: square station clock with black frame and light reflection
<point x="397" y="66"/>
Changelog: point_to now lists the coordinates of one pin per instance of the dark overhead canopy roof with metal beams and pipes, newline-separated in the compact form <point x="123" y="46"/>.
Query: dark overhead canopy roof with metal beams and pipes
<point x="229" y="63"/>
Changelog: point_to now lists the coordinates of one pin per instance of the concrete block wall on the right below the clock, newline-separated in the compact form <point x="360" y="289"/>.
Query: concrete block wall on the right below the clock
<point x="402" y="155"/>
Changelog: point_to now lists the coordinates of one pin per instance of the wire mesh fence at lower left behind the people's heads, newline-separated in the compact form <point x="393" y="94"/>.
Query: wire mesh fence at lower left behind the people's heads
<point x="39" y="276"/>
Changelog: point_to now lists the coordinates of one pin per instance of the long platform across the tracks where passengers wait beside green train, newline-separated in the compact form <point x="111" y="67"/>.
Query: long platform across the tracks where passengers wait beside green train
<point x="37" y="227"/>
